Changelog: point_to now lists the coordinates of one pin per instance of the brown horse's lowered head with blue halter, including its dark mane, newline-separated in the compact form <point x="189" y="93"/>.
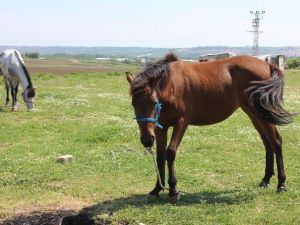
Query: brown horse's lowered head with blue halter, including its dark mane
<point x="144" y="89"/>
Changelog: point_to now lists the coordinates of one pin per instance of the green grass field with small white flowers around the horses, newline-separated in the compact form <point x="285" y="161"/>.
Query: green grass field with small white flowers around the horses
<point x="89" y="116"/>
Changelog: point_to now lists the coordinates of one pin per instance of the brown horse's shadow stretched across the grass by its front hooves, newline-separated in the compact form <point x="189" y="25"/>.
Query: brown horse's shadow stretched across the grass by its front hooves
<point x="105" y="210"/>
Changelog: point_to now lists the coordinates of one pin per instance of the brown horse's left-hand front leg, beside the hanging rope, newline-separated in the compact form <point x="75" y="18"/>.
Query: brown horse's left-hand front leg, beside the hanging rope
<point x="161" y="145"/>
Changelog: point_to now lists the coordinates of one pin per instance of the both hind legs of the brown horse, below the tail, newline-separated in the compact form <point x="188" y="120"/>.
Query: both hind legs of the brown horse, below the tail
<point x="273" y="144"/>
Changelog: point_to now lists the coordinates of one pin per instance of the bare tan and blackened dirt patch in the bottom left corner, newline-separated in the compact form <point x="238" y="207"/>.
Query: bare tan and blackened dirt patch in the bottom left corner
<point x="70" y="212"/>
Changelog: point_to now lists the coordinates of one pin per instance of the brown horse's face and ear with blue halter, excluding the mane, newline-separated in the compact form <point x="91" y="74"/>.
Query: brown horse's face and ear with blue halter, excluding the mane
<point x="147" y="109"/>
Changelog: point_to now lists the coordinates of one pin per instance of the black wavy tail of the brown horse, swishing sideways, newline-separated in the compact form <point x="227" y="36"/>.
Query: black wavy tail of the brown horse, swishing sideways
<point x="266" y="98"/>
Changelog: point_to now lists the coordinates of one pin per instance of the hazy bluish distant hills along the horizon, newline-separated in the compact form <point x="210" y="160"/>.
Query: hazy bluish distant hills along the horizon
<point x="132" y="52"/>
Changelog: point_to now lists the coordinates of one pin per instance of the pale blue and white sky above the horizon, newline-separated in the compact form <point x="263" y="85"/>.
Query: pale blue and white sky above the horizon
<point x="155" y="23"/>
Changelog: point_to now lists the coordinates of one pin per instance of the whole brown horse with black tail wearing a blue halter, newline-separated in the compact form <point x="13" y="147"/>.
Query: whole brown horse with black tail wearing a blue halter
<point x="173" y="93"/>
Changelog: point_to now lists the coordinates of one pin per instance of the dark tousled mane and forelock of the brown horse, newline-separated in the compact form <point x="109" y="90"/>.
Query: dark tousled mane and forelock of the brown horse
<point x="152" y="73"/>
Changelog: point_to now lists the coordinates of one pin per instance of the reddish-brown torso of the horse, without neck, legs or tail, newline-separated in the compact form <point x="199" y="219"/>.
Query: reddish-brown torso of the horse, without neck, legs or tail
<point x="211" y="91"/>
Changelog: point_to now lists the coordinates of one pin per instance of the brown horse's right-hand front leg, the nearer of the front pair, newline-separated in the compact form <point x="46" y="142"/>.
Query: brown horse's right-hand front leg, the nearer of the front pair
<point x="178" y="132"/>
